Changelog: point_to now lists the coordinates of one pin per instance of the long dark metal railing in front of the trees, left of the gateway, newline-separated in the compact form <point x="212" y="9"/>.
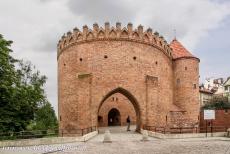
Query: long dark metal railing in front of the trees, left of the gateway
<point x="46" y="133"/>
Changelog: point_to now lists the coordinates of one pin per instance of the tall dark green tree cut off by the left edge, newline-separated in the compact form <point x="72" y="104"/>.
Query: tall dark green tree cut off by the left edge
<point x="8" y="83"/>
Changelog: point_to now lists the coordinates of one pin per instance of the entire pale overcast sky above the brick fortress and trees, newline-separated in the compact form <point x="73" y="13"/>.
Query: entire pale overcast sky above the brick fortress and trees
<point x="35" y="26"/>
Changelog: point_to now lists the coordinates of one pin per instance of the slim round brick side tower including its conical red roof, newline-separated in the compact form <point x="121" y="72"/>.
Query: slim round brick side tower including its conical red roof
<point x="186" y="85"/>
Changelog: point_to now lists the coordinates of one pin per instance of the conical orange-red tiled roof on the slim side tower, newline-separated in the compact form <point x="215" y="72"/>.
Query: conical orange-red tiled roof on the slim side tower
<point x="179" y="51"/>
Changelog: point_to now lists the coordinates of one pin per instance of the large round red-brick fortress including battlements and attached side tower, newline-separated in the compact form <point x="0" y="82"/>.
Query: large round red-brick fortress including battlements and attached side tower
<point x="131" y="70"/>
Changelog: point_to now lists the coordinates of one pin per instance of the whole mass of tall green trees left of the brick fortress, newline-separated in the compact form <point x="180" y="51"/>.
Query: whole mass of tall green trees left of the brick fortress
<point x="21" y="91"/>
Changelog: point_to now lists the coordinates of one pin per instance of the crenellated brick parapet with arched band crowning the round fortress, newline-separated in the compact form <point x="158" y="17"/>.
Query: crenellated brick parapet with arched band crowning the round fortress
<point x="116" y="34"/>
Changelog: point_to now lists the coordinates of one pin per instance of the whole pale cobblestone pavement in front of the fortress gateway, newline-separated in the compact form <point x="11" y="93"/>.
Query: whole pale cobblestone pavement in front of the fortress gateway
<point x="129" y="143"/>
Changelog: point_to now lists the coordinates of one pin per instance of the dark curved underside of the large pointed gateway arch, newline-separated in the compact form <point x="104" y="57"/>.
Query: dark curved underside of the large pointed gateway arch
<point x="131" y="99"/>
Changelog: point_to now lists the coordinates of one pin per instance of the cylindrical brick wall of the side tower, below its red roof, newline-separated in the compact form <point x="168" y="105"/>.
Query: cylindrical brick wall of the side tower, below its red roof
<point x="186" y="90"/>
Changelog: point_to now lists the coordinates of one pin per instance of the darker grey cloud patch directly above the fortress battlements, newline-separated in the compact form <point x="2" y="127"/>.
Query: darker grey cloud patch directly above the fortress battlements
<point x="102" y="10"/>
